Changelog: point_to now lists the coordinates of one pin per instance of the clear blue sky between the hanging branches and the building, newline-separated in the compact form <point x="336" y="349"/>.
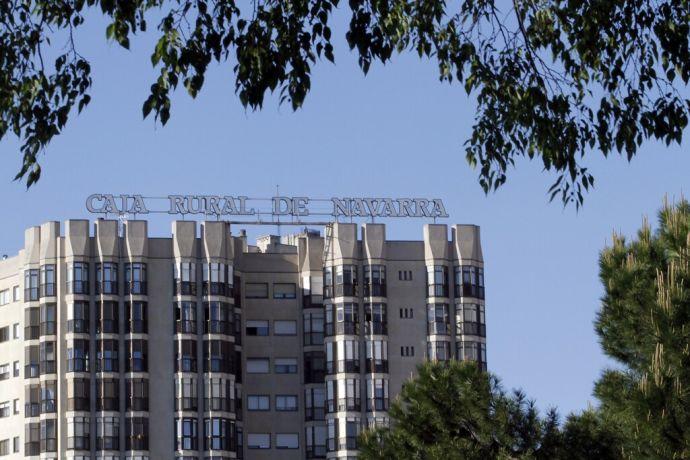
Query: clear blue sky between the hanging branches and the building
<point x="396" y="132"/>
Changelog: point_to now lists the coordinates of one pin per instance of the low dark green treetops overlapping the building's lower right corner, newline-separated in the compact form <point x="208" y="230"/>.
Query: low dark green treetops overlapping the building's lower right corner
<point x="454" y="411"/>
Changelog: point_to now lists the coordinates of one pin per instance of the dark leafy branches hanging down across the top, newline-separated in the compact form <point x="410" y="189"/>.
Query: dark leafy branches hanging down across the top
<point x="552" y="79"/>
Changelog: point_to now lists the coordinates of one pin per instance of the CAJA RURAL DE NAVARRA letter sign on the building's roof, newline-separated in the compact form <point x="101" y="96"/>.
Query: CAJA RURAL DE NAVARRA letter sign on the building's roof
<point x="242" y="206"/>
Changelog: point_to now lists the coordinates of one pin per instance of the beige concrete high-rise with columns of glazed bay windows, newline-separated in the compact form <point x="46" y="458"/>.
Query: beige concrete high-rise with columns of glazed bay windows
<point x="118" y="345"/>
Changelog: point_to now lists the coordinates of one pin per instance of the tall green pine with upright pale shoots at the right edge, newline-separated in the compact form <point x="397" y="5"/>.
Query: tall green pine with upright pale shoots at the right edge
<point x="644" y="324"/>
